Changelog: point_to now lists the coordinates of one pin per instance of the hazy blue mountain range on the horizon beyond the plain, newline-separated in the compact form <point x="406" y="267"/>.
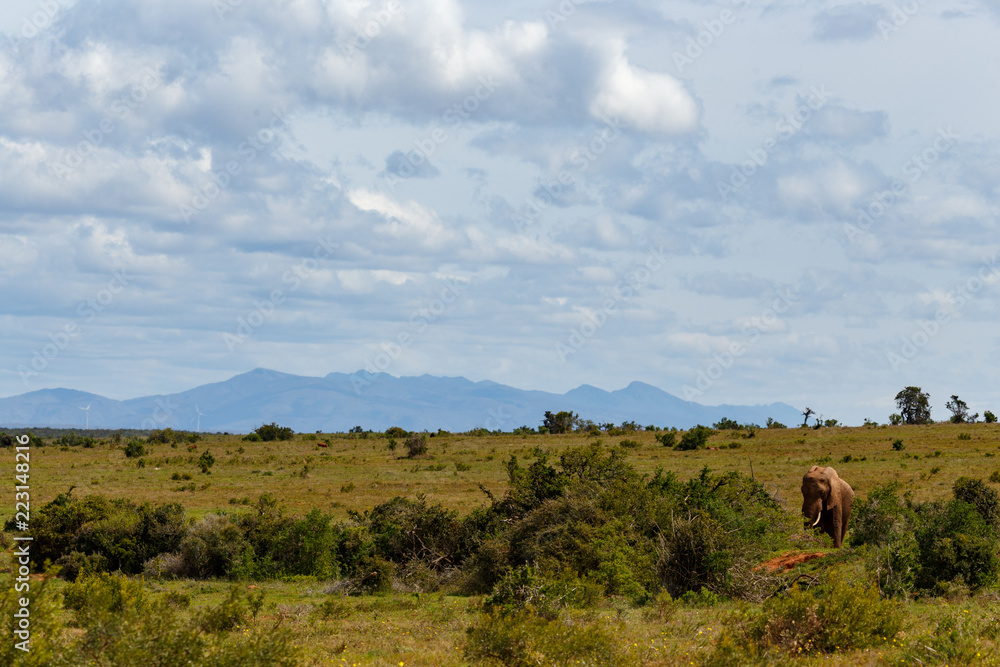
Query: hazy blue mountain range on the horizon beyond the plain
<point x="341" y="401"/>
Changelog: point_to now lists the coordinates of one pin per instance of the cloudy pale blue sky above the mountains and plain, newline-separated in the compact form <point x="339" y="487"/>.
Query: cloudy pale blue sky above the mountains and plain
<point x="737" y="202"/>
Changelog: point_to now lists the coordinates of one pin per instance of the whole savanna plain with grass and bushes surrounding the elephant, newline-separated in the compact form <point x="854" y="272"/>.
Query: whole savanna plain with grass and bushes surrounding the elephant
<point x="586" y="548"/>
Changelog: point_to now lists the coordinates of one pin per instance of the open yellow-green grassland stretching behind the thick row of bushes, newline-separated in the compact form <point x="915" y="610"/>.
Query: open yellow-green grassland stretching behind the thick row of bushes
<point x="357" y="472"/>
